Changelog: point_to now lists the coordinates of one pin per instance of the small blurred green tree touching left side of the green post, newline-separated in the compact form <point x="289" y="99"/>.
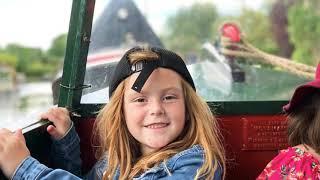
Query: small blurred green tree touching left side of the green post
<point x="58" y="46"/>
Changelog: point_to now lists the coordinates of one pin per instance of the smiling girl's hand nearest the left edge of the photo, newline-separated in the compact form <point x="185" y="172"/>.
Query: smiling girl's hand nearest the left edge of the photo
<point x="13" y="151"/>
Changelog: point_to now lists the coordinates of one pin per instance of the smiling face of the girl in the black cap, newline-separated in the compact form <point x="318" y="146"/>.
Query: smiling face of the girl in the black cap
<point x="156" y="115"/>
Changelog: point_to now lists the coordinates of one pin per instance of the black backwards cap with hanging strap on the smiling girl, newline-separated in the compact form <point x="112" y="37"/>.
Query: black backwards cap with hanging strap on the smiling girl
<point x="167" y="59"/>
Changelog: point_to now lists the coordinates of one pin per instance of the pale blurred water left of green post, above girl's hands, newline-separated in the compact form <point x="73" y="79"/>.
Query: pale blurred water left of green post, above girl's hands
<point x="24" y="105"/>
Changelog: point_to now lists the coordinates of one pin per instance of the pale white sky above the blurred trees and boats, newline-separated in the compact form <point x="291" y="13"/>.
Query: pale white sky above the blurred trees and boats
<point x="35" y="23"/>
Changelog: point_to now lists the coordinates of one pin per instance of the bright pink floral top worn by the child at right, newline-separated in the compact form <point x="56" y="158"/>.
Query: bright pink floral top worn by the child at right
<point x="292" y="163"/>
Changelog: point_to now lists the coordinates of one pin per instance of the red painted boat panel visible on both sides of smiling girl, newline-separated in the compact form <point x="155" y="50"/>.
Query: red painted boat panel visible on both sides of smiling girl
<point x="251" y="141"/>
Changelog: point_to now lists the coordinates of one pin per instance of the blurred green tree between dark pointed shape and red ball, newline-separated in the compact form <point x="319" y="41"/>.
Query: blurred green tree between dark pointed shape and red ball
<point x="190" y="27"/>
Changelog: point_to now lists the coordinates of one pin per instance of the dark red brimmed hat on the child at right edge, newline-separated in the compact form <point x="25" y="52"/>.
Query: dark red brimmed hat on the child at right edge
<point x="302" y="91"/>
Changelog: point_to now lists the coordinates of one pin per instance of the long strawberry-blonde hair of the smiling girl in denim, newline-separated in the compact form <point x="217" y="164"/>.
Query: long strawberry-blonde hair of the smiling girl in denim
<point x="123" y="150"/>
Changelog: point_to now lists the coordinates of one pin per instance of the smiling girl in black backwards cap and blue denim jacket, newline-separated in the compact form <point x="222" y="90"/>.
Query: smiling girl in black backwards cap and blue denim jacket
<point x="154" y="127"/>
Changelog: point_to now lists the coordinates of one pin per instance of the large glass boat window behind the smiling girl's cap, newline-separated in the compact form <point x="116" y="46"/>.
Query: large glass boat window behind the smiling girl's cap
<point x="234" y="49"/>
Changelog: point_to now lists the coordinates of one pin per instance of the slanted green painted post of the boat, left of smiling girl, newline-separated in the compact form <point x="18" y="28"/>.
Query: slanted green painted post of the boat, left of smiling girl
<point x="76" y="53"/>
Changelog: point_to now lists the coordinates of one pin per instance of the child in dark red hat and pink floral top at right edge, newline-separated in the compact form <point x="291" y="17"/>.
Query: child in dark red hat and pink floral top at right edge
<point x="302" y="159"/>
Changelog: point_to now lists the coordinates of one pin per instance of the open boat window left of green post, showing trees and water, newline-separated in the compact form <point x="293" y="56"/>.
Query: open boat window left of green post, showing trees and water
<point x="32" y="46"/>
